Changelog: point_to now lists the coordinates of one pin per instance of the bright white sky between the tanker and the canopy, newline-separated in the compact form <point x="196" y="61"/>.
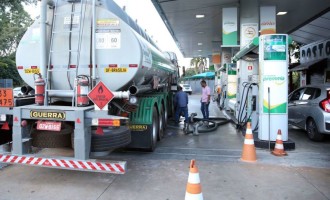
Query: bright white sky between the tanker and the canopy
<point x="148" y="18"/>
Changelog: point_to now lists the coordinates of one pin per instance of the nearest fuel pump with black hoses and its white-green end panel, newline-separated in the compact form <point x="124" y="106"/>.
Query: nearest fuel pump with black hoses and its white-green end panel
<point x="262" y="87"/>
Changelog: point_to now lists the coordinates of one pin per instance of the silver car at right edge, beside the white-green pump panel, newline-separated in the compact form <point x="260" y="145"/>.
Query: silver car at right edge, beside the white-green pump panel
<point x="309" y="109"/>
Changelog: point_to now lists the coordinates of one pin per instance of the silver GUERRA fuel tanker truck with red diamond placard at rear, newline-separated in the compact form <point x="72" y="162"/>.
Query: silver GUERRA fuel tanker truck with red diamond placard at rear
<point x="100" y="83"/>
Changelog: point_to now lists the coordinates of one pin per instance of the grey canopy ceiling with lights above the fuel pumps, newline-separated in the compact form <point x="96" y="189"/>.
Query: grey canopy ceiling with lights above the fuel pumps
<point x="196" y="25"/>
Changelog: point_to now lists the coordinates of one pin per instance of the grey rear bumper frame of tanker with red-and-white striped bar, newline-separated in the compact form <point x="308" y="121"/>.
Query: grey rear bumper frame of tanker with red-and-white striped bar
<point x="19" y="151"/>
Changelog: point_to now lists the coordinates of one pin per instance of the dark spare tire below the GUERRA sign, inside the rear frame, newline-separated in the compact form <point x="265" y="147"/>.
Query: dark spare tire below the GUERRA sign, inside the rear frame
<point x="51" y="139"/>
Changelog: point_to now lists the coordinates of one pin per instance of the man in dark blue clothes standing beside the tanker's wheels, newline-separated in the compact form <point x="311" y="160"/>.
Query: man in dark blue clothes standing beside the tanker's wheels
<point x="181" y="103"/>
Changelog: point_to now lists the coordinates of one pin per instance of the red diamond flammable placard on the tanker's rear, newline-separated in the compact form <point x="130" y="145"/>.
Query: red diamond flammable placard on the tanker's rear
<point x="100" y="95"/>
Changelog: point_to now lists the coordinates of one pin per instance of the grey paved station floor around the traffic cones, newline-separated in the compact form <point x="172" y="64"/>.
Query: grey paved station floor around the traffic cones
<point x="163" y="174"/>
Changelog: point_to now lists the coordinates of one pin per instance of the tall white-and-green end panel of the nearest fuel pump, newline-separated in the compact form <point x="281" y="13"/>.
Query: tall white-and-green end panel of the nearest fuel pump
<point x="273" y="92"/>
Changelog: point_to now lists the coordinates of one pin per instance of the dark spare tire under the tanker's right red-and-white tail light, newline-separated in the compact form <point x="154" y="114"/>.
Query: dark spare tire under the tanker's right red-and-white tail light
<point x="111" y="139"/>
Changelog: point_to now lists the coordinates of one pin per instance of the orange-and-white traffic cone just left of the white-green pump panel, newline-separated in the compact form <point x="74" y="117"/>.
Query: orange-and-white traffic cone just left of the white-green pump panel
<point x="249" y="150"/>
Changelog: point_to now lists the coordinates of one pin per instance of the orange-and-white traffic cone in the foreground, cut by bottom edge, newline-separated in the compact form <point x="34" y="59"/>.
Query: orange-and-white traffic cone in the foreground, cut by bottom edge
<point x="194" y="189"/>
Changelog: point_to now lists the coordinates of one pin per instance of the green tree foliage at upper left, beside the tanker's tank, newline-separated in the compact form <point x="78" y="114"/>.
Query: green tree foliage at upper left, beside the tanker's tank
<point x="14" y="21"/>
